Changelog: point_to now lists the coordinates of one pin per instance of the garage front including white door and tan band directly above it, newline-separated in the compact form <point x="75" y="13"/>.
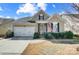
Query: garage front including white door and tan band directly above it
<point x="24" y="29"/>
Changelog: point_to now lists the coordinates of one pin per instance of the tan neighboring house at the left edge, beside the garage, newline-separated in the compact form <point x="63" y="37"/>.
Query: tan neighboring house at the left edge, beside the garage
<point x="5" y="25"/>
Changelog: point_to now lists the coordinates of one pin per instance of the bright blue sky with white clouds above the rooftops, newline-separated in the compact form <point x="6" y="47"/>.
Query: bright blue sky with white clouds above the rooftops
<point x="19" y="10"/>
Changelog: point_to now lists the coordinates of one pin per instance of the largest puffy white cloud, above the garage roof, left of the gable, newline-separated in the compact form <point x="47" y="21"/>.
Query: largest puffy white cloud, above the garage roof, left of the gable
<point x="26" y="8"/>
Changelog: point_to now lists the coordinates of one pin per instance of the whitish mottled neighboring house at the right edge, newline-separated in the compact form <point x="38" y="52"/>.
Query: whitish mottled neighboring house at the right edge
<point x="71" y="23"/>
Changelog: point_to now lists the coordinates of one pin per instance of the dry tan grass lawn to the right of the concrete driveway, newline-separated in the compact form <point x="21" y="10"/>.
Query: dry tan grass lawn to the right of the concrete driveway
<point x="49" y="48"/>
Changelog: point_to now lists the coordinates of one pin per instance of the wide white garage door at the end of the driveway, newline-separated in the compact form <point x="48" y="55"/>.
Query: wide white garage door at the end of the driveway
<point x="24" y="31"/>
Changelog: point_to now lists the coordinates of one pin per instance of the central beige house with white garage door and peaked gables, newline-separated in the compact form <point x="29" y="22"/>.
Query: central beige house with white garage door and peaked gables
<point x="40" y="22"/>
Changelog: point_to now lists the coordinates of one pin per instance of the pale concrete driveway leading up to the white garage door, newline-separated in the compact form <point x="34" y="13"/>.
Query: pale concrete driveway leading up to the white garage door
<point x="8" y="47"/>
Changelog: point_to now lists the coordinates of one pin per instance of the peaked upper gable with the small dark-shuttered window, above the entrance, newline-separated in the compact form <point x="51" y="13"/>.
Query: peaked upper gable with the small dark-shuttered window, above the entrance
<point x="38" y="14"/>
